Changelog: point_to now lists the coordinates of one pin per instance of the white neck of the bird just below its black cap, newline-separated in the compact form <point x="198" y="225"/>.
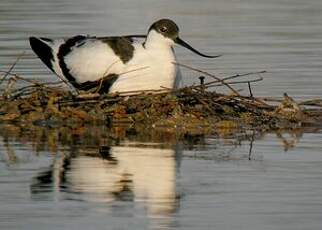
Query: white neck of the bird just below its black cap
<point x="157" y="40"/>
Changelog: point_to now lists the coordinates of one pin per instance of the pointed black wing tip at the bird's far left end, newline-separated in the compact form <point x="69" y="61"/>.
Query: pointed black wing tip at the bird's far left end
<point x="43" y="51"/>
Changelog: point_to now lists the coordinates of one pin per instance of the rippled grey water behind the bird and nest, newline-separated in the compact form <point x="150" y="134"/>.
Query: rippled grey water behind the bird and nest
<point x="282" y="37"/>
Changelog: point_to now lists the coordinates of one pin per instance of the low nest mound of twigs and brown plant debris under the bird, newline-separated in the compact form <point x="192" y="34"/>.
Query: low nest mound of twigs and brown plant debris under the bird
<point x="190" y="107"/>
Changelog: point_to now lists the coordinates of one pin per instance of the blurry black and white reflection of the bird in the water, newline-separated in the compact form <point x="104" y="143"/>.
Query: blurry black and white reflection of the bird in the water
<point x="129" y="173"/>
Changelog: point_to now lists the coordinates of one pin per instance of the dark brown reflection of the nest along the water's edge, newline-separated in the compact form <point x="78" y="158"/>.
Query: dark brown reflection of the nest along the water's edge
<point x="69" y="143"/>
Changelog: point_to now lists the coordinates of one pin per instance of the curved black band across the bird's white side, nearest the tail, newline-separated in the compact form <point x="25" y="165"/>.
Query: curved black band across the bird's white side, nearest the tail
<point x="65" y="49"/>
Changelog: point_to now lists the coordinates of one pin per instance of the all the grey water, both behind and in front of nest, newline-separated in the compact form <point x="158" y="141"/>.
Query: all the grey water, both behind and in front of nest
<point x="97" y="178"/>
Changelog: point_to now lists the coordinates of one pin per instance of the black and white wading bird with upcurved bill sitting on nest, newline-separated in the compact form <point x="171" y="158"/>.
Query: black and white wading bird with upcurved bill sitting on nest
<point x="116" y="63"/>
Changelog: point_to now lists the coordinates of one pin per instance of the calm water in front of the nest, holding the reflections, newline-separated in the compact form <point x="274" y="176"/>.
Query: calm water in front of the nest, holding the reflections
<point x="99" y="178"/>
